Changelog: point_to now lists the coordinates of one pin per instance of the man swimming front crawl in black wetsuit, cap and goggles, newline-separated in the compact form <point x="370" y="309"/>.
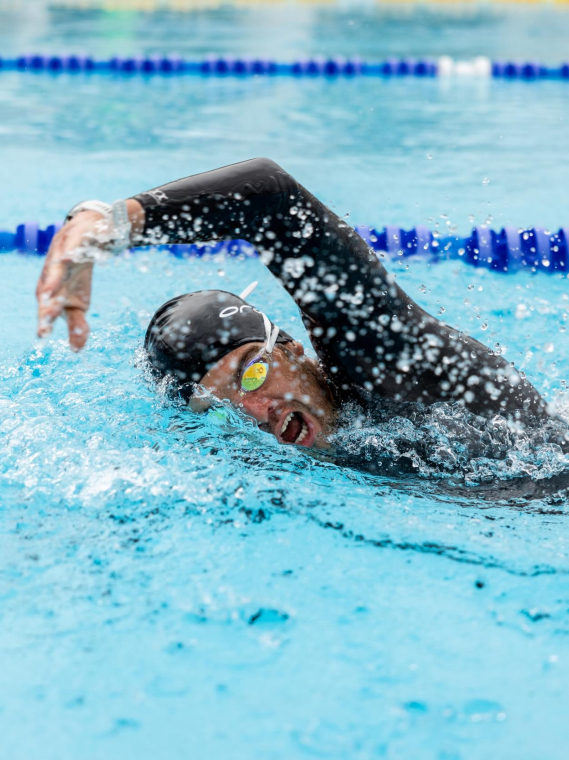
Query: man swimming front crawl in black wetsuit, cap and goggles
<point x="374" y="344"/>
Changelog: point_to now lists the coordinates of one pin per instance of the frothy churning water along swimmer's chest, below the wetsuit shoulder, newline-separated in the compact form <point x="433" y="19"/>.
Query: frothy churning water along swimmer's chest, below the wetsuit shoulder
<point x="446" y="442"/>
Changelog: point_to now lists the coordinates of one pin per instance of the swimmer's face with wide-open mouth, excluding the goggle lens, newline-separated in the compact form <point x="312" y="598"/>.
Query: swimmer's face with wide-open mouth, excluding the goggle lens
<point x="293" y="403"/>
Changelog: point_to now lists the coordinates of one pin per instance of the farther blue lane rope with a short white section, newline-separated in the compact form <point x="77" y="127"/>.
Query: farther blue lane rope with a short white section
<point x="309" y="67"/>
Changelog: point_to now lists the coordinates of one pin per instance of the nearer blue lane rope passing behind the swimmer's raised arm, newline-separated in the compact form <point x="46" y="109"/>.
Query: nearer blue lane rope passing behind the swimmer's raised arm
<point x="507" y="250"/>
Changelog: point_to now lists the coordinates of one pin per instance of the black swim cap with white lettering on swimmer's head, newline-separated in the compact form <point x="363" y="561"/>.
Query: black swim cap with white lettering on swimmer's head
<point x="190" y="333"/>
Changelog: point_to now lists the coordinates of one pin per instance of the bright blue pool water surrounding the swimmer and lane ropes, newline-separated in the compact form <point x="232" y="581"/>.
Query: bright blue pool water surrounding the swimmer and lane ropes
<point x="174" y="587"/>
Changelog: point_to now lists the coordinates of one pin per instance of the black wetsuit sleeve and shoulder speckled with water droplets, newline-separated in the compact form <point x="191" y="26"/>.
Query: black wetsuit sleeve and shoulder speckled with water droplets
<point x="367" y="332"/>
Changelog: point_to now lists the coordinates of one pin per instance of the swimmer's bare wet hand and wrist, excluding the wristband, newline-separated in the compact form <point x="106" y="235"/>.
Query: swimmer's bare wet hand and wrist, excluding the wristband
<point x="64" y="286"/>
